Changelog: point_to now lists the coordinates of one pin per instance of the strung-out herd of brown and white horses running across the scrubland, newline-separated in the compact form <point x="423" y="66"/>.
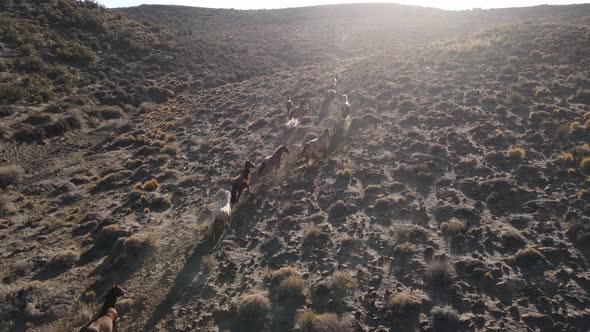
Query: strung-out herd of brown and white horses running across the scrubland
<point x="106" y="318"/>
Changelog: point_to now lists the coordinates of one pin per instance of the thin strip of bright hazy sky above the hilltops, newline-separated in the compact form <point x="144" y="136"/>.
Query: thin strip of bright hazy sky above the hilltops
<point x="243" y="4"/>
